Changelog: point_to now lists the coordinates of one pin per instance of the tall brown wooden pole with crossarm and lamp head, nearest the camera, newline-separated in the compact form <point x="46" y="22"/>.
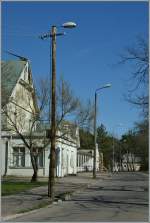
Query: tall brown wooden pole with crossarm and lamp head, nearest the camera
<point x="53" y="35"/>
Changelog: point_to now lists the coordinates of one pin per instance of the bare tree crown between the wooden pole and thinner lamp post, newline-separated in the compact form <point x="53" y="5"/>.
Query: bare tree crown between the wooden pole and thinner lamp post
<point x="72" y="109"/>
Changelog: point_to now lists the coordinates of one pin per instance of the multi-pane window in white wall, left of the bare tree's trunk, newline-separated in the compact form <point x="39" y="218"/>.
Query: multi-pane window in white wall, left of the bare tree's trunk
<point x="18" y="156"/>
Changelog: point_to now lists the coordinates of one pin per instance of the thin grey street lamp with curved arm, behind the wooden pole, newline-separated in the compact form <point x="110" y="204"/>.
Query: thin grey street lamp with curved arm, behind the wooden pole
<point x="95" y="132"/>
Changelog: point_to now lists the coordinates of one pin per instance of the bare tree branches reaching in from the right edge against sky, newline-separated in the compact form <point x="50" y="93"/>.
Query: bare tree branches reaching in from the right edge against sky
<point x="138" y="57"/>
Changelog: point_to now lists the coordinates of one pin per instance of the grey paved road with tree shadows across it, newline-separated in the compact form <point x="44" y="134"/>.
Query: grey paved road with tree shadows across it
<point x="121" y="197"/>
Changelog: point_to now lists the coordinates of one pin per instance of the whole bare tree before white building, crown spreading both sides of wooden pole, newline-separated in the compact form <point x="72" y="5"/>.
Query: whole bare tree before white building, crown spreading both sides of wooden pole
<point x="69" y="108"/>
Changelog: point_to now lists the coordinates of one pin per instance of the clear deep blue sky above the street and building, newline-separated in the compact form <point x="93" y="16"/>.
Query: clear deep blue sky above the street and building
<point x="86" y="56"/>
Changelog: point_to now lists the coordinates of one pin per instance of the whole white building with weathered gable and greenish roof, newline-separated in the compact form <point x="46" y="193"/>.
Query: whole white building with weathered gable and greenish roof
<point x="19" y="100"/>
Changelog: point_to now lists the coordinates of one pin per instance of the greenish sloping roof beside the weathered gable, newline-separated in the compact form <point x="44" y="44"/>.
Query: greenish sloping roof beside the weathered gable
<point x="10" y="73"/>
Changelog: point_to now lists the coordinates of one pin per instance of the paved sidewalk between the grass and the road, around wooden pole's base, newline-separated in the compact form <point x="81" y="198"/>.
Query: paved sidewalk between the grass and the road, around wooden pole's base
<point x="13" y="205"/>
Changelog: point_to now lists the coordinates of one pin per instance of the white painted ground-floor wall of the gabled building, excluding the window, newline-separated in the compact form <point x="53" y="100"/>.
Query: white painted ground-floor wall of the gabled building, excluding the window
<point x="66" y="163"/>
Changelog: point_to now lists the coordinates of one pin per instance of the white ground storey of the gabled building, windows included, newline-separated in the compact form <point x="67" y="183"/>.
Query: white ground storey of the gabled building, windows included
<point x="16" y="157"/>
